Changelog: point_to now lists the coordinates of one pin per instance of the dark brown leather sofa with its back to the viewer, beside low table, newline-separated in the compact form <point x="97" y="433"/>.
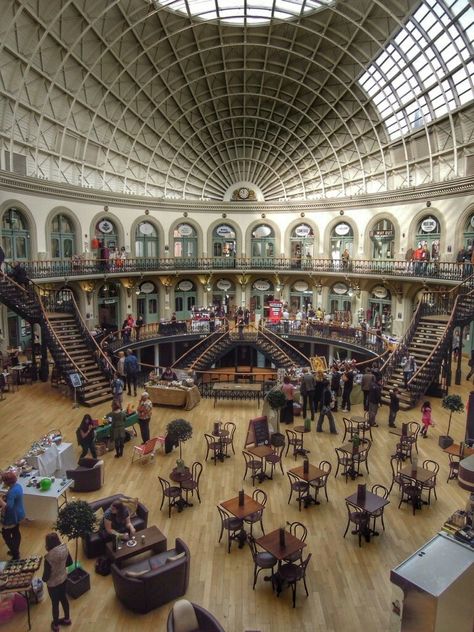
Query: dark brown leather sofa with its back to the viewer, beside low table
<point x="159" y="582"/>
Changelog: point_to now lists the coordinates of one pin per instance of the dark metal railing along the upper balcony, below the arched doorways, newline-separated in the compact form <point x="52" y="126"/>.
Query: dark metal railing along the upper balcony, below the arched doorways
<point x="79" y="267"/>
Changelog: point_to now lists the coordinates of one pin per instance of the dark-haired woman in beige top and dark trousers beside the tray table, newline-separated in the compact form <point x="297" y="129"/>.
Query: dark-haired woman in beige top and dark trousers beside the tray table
<point x="56" y="561"/>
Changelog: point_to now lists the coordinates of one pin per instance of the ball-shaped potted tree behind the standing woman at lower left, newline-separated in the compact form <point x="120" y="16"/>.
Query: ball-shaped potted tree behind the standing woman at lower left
<point x="76" y="520"/>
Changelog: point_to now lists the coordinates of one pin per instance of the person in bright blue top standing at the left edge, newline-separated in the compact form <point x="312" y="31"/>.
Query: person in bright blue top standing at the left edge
<point x="13" y="512"/>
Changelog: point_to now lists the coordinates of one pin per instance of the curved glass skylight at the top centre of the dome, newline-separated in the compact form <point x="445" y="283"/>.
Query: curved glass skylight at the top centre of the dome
<point x="251" y="12"/>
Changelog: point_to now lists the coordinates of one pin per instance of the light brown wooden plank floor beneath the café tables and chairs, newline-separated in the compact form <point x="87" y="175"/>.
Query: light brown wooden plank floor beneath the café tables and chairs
<point x="350" y="587"/>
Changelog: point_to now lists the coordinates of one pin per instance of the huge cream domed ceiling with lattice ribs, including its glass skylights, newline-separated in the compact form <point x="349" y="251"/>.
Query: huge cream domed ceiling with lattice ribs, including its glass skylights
<point x="191" y="99"/>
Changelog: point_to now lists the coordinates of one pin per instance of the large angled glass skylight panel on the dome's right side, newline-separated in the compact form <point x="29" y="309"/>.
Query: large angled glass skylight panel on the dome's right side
<point x="427" y="70"/>
